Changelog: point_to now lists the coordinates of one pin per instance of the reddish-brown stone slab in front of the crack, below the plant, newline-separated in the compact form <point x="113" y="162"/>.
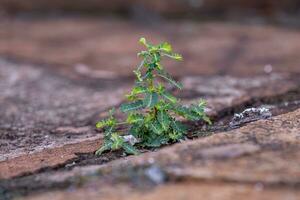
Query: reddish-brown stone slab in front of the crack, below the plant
<point x="260" y="160"/>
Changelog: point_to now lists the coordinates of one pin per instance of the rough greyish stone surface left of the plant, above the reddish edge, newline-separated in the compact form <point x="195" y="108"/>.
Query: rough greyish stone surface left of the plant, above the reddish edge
<point x="42" y="109"/>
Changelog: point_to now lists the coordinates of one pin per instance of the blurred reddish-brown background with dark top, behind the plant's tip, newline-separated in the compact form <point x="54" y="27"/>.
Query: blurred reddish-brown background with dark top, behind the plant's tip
<point x="98" y="38"/>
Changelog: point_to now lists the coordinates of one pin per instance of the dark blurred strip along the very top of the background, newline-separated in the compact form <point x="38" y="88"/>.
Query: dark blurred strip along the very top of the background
<point x="227" y="9"/>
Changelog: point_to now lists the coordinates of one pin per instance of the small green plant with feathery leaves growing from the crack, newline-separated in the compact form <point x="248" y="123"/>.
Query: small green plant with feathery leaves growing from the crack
<point x="152" y="112"/>
